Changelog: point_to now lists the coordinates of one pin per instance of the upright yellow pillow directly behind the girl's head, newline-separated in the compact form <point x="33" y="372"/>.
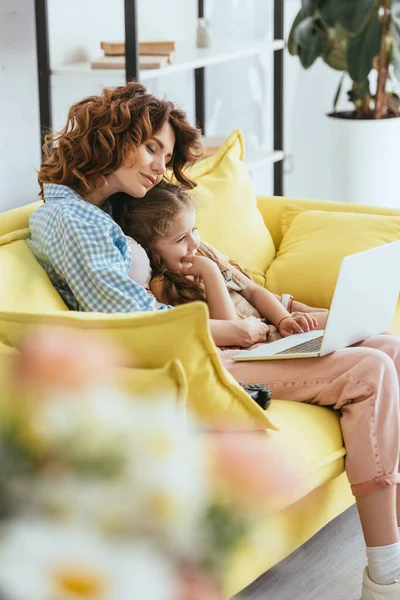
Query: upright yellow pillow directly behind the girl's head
<point x="228" y="217"/>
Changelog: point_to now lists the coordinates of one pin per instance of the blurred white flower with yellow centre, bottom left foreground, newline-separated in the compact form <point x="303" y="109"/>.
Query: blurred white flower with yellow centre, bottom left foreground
<point x="44" y="561"/>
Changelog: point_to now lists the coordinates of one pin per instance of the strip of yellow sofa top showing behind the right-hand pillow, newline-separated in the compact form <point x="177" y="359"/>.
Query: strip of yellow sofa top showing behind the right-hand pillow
<point x="272" y="208"/>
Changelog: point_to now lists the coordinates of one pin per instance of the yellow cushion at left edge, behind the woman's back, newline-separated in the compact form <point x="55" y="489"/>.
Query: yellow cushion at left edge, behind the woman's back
<point x="25" y="285"/>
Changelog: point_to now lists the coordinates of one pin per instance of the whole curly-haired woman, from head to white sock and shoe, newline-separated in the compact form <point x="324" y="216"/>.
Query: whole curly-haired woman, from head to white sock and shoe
<point x="122" y="141"/>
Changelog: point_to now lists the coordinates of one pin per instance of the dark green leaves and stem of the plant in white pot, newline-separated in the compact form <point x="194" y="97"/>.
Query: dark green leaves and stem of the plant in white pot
<point x="355" y="37"/>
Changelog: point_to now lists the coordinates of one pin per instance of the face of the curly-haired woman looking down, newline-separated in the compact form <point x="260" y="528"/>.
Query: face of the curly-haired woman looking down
<point x="138" y="177"/>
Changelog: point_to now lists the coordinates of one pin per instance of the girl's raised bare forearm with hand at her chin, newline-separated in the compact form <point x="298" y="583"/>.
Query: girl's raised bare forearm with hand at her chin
<point x="219" y="302"/>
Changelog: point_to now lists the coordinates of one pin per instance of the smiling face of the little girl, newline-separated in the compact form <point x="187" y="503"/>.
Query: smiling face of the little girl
<point x="181" y="241"/>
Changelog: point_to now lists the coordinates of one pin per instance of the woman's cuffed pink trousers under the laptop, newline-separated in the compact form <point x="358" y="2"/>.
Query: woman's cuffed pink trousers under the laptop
<point x="363" y="383"/>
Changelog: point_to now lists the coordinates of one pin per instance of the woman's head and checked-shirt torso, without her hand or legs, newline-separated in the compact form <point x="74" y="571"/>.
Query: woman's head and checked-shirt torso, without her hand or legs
<point x="121" y="140"/>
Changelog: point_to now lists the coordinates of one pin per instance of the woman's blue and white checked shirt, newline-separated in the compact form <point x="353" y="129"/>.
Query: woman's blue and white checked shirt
<point x="85" y="254"/>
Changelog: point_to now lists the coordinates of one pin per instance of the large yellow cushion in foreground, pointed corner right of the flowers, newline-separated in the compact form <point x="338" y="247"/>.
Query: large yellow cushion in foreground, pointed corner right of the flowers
<point x="154" y="339"/>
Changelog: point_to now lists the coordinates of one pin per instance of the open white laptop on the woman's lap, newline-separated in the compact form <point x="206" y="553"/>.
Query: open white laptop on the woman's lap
<point x="363" y="305"/>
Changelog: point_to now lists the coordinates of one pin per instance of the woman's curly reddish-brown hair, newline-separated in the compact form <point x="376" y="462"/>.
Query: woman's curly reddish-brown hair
<point x="102" y="131"/>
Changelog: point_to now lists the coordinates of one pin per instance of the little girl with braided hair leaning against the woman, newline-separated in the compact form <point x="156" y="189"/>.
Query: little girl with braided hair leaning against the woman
<point x="185" y="269"/>
